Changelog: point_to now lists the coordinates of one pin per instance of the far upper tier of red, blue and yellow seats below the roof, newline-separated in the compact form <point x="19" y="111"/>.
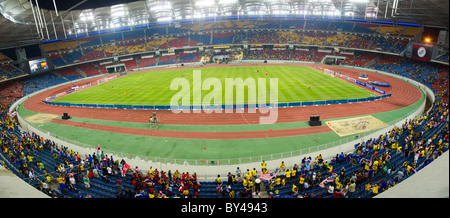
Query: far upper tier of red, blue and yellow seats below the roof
<point x="318" y="33"/>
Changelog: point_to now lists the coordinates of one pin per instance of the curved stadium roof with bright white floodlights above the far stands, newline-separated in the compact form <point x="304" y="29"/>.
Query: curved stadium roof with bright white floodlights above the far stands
<point x="22" y="25"/>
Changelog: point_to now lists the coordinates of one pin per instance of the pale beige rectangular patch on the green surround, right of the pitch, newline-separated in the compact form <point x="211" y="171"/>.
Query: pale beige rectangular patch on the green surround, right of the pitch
<point x="355" y="125"/>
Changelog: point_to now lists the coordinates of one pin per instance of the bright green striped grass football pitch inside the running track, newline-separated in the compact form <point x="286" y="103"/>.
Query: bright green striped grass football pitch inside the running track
<point x="153" y="87"/>
